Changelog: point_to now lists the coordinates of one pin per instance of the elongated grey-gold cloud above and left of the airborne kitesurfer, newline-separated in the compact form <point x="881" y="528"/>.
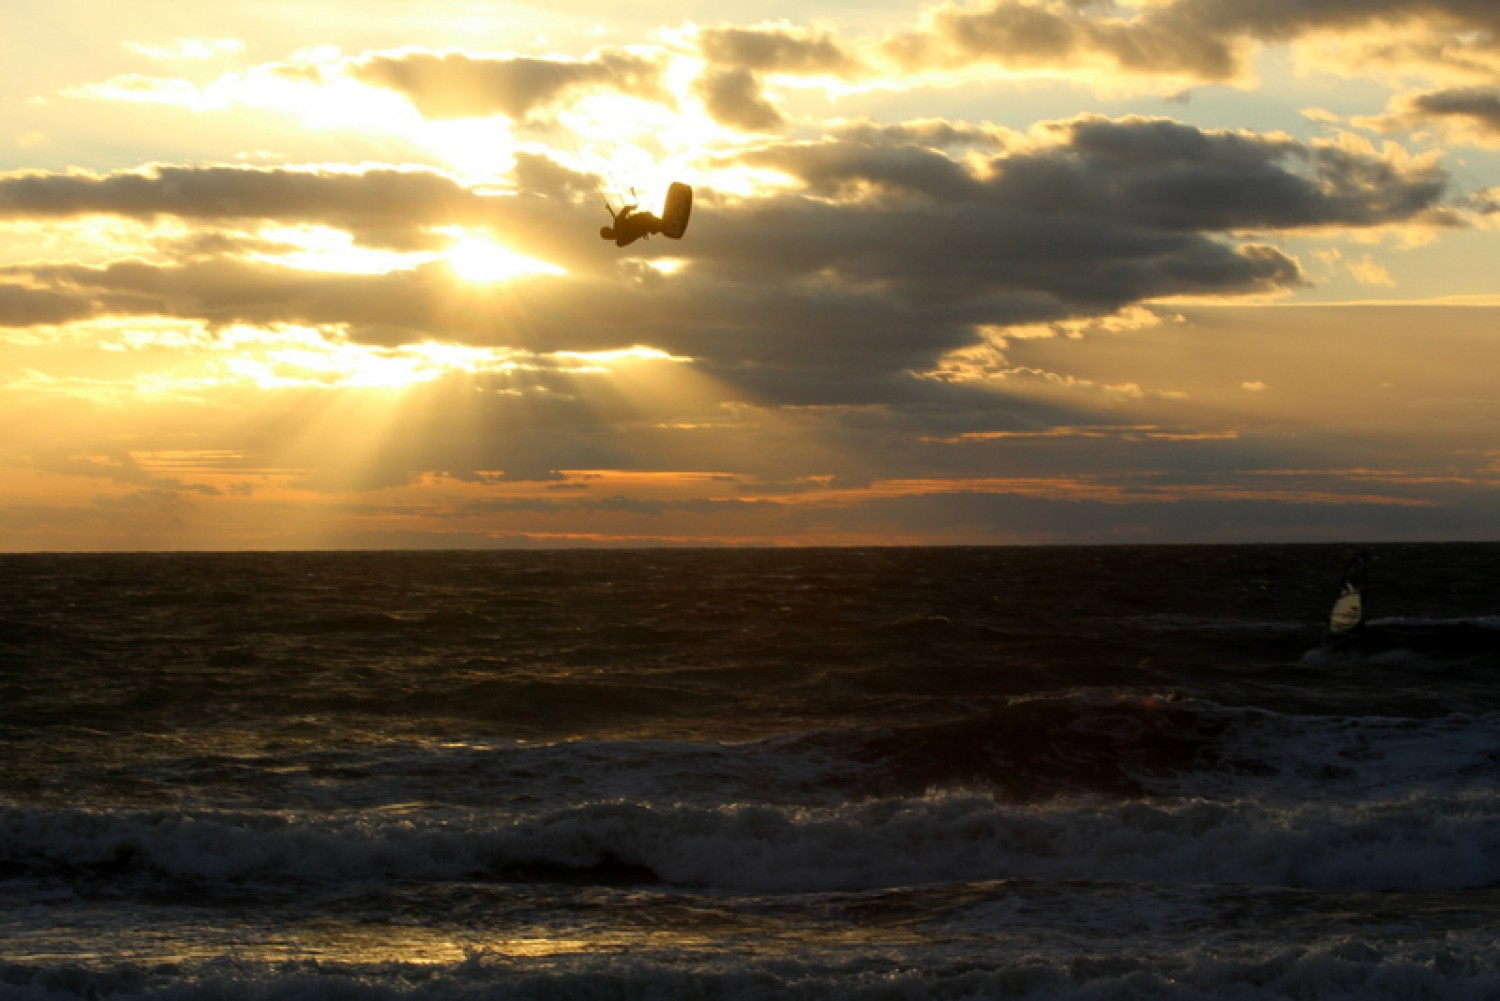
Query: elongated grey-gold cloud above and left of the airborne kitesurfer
<point x="458" y="86"/>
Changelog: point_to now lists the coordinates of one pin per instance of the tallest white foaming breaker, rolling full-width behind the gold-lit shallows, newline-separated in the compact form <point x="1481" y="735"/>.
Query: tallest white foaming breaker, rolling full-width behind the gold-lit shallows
<point x="1420" y="843"/>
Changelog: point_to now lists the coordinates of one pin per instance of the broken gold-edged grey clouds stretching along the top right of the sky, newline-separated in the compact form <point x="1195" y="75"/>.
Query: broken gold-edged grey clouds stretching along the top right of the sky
<point x="1181" y="43"/>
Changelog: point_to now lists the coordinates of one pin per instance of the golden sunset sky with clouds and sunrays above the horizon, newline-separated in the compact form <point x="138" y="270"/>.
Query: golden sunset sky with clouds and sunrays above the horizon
<point x="328" y="274"/>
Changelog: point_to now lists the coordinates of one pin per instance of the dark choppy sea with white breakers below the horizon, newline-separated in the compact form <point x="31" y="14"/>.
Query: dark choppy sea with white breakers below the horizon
<point x="1070" y="772"/>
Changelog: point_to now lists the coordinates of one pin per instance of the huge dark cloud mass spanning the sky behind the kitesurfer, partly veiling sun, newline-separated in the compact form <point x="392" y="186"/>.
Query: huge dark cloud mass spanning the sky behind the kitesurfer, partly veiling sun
<point x="890" y="256"/>
